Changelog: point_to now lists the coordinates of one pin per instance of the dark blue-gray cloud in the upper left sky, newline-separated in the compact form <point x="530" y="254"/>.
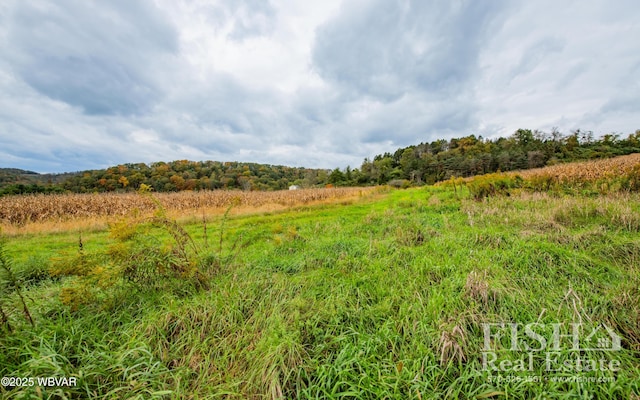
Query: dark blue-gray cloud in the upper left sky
<point x="99" y="59"/>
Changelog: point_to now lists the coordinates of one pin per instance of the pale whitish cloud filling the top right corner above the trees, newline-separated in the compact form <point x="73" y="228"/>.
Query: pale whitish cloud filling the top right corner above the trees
<point x="560" y="64"/>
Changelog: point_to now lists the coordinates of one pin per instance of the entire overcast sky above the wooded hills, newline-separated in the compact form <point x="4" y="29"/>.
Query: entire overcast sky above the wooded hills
<point x="91" y="84"/>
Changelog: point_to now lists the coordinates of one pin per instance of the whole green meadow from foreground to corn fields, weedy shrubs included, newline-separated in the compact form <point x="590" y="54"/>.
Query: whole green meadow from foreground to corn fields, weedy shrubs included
<point x="382" y="293"/>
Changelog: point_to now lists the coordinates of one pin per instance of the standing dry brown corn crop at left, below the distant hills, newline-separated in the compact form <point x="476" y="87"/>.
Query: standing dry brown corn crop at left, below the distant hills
<point x="19" y="210"/>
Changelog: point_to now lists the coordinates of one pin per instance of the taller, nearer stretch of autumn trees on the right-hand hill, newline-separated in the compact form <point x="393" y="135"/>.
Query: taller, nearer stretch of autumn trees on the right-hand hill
<point x="427" y="163"/>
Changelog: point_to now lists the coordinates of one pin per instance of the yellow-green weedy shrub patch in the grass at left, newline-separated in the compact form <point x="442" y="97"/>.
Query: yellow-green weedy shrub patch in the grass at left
<point x="139" y="256"/>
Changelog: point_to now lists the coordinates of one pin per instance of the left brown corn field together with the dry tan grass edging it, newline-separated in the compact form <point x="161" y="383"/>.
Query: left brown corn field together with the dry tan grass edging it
<point x="50" y="213"/>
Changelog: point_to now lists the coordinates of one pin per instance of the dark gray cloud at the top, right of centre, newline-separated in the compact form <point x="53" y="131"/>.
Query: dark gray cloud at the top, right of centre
<point x="385" y="49"/>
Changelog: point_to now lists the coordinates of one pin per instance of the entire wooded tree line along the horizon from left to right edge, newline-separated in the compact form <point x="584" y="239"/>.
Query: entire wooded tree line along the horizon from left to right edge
<point x="425" y="163"/>
